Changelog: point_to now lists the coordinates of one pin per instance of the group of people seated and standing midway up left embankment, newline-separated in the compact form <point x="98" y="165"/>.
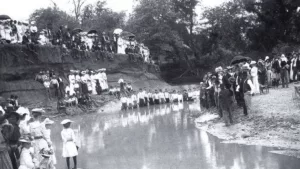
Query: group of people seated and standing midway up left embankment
<point x="77" y="90"/>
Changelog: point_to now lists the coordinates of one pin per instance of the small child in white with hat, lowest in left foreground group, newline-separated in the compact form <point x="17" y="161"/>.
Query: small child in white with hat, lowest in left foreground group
<point x="27" y="160"/>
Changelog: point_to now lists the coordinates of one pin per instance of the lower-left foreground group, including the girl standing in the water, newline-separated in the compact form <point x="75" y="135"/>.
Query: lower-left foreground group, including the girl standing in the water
<point x="25" y="138"/>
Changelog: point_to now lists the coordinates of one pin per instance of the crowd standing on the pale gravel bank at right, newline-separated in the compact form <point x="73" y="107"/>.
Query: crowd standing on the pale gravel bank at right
<point x="246" y="79"/>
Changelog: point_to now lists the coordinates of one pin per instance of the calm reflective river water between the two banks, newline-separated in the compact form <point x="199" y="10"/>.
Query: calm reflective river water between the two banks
<point x="160" y="137"/>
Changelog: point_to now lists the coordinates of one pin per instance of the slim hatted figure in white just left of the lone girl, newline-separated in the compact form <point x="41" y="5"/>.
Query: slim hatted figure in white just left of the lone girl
<point x="47" y="134"/>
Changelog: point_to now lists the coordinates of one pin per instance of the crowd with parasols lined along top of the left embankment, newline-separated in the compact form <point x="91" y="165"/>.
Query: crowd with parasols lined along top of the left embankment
<point x="16" y="32"/>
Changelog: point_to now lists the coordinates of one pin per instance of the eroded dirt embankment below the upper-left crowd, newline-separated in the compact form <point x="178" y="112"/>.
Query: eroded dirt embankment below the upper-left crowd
<point x="20" y="64"/>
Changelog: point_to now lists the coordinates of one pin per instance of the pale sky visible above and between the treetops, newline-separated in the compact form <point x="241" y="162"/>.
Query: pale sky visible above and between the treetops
<point x="21" y="9"/>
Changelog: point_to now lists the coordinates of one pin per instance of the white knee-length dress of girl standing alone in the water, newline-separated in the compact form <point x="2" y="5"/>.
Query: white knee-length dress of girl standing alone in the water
<point x="69" y="146"/>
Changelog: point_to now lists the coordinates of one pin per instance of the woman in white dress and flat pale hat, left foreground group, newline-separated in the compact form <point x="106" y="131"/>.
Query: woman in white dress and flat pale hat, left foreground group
<point x="37" y="132"/>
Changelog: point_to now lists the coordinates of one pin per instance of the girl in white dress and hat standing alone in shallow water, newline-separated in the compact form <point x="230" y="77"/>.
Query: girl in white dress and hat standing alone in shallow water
<point x="69" y="146"/>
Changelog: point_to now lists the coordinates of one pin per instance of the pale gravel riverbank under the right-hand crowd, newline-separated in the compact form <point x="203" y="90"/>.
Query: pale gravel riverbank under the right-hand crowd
<point x="274" y="121"/>
